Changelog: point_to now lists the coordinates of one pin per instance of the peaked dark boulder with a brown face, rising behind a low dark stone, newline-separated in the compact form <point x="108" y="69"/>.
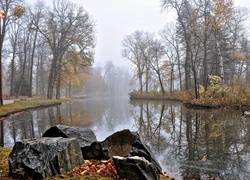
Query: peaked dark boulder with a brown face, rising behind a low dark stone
<point x="126" y="143"/>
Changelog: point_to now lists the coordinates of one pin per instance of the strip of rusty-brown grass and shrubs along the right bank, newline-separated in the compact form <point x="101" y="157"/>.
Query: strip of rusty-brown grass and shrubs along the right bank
<point x="233" y="97"/>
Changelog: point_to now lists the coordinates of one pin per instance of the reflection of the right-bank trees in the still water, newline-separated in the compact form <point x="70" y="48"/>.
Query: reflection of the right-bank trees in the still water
<point x="195" y="144"/>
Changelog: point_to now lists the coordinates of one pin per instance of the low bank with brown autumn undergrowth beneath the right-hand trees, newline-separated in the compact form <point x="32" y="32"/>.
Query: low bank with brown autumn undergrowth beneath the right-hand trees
<point x="230" y="100"/>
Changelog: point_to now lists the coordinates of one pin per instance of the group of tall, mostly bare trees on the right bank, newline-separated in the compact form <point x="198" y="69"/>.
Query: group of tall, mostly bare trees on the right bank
<point x="208" y="37"/>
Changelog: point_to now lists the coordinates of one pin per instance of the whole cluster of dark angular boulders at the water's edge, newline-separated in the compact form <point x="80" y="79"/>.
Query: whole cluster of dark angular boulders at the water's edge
<point x="62" y="148"/>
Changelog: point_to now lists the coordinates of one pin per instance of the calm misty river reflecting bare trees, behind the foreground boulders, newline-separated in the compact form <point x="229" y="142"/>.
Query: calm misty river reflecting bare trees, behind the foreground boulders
<point x="198" y="144"/>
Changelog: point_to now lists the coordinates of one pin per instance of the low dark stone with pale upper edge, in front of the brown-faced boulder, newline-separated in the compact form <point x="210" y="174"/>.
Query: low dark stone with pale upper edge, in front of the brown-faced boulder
<point x="135" y="168"/>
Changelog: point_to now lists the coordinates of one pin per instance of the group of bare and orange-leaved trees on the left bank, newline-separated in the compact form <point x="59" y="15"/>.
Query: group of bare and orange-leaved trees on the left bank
<point x="47" y="50"/>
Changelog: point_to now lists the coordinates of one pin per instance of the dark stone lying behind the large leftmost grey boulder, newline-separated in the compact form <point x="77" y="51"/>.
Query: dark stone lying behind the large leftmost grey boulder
<point x="84" y="136"/>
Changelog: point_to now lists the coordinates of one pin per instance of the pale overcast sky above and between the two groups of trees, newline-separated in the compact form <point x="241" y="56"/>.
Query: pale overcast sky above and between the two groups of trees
<point x="117" y="18"/>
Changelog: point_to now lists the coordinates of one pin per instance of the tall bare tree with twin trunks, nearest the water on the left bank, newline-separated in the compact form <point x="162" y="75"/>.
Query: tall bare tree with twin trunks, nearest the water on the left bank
<point x="66" y="26"/>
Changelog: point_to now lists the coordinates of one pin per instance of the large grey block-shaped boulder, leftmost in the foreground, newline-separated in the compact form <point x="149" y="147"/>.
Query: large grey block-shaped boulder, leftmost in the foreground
<point x="44" y="157"/>
